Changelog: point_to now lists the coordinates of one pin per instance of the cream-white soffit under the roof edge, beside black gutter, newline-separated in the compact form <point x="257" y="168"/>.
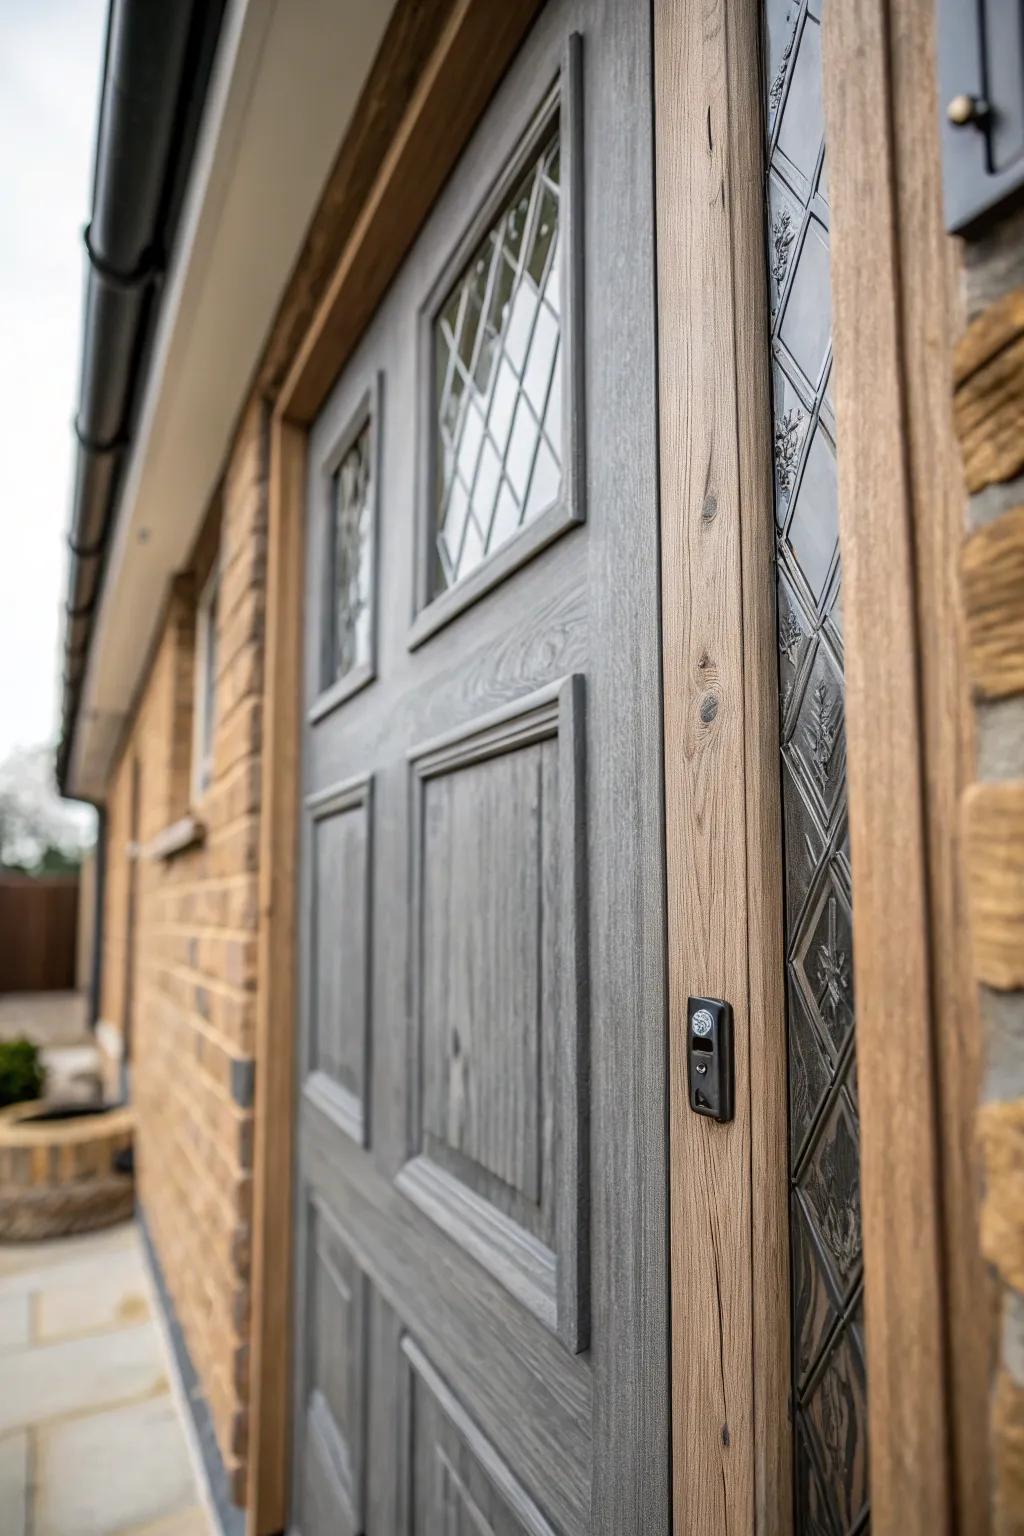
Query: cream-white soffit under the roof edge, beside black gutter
<point x="286" y="84"/>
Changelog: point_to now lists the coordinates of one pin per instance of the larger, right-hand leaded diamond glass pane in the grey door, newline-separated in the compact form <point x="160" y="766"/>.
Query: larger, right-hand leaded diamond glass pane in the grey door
<point x="498" y="380"/>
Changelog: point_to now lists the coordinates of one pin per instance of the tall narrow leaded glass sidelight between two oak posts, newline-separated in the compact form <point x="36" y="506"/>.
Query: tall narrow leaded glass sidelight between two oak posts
<point x="827" y="1268"/>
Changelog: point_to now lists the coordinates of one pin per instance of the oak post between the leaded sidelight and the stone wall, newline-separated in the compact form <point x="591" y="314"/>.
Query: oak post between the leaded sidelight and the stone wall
<point x="900" y="491"/>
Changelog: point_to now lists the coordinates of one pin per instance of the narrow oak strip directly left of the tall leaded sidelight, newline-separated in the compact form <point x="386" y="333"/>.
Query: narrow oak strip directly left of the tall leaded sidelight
<point x="765" y="948"/>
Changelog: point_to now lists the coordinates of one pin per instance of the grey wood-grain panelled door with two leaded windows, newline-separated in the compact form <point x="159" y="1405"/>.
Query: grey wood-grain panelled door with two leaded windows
<point x="481" y="1185"/>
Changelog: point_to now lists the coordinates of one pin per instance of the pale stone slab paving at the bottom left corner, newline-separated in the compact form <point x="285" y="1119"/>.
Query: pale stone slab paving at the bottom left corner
<point x="91" y="1442"/>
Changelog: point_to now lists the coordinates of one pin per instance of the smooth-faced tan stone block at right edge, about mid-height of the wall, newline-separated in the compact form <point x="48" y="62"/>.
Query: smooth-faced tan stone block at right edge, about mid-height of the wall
<point x="994" y="858"/>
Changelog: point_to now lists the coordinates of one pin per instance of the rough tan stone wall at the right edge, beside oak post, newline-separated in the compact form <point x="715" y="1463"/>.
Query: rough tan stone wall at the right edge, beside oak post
<point x="989" y="414"/>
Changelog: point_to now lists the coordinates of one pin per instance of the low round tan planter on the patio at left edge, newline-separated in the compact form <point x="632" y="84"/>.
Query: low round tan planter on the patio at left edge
<point x="58" y="1176"/>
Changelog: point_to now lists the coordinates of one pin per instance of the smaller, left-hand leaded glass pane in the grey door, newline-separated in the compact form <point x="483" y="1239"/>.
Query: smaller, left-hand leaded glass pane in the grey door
<point x="351" y="563"/>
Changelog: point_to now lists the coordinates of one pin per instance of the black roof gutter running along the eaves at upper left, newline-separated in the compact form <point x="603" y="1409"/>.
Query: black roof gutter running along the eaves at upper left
<point x="156" y="76"/>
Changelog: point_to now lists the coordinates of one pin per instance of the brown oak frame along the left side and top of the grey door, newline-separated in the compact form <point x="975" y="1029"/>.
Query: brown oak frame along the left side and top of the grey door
<point x="458" y="79"/>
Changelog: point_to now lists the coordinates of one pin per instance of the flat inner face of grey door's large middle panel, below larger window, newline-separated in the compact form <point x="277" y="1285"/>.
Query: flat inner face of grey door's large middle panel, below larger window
<point x="483" y="1038"/>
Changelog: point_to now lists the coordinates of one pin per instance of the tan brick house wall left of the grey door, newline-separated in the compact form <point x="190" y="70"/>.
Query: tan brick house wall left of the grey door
<point x="193" y="1013"/>
